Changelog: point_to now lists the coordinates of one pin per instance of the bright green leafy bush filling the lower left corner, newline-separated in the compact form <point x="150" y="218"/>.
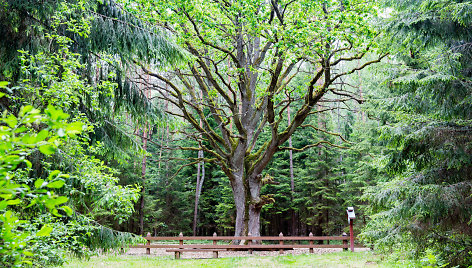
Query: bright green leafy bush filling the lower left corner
<point x="36" y="227"/>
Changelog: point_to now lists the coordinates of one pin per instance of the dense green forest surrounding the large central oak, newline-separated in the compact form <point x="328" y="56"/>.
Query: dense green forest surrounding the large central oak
<point x="93" y="154"/>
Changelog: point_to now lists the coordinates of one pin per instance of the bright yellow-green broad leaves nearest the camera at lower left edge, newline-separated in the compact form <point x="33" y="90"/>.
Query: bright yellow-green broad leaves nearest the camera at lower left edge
<point x="19" y="140"/>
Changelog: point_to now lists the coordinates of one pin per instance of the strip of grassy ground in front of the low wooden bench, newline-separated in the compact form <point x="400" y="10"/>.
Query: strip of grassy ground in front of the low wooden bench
<point x="328" y="259"/>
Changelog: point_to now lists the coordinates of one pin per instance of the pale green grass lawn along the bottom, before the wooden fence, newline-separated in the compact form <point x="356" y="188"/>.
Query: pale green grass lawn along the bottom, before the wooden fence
<point x="342" y="259"/>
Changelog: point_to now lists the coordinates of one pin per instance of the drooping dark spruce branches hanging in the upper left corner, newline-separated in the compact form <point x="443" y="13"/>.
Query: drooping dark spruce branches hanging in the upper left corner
<point x="109" y="41"/>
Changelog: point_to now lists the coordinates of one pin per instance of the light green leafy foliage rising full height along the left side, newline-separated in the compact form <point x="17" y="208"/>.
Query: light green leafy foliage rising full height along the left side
<point x="55" y="76"/>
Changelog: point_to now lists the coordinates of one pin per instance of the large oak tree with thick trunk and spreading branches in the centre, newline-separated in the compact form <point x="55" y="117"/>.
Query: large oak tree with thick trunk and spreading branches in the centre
<point x="245" y="56"/>
